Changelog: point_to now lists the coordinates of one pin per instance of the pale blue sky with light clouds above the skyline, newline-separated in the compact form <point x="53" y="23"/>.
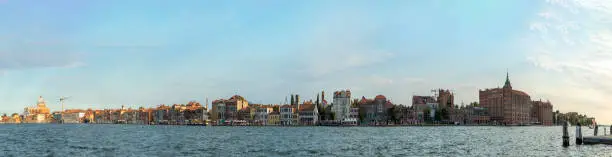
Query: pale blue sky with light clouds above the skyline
<point x="104" y="54"/>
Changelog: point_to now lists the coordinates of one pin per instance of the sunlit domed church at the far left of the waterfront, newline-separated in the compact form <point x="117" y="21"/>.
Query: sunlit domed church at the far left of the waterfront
<point x="38" y="114"/>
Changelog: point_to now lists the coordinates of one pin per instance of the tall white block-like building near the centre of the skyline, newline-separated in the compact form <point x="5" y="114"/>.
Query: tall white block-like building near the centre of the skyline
<point x="342" y="104"/>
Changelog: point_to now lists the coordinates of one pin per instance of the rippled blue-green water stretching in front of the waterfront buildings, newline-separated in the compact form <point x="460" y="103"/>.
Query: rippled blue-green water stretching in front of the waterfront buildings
<point x="136" y="140"/>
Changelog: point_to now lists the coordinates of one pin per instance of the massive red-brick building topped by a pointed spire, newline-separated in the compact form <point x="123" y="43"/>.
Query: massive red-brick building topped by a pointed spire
<point x="505" y="105"/>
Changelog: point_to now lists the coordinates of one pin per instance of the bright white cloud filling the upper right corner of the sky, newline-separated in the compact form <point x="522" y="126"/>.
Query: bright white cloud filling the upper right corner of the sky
<point x="574" y="38"/>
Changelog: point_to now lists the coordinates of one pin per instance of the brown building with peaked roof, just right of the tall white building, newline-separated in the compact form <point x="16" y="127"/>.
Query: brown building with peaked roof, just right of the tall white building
<point x="374" y="111"/>
